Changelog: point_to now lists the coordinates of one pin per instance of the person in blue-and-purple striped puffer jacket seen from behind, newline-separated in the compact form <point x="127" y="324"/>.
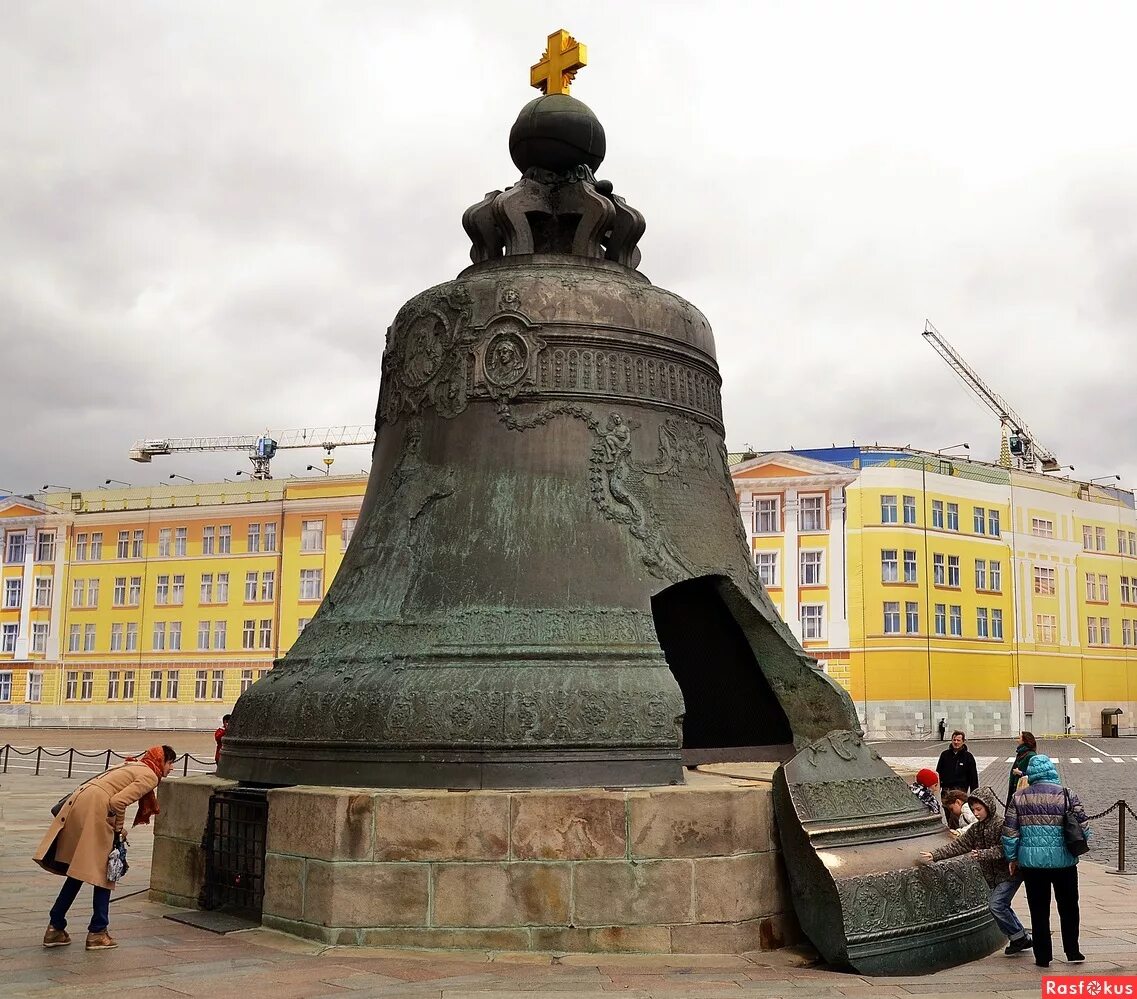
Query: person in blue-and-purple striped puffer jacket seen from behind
<point x="1035" y="844"/>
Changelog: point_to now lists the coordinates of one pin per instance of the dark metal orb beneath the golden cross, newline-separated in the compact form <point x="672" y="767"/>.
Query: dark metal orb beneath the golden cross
<point x="557" y="134"/>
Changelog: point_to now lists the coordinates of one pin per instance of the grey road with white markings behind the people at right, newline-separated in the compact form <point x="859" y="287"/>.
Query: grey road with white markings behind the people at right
<point x="1102" y="771"/>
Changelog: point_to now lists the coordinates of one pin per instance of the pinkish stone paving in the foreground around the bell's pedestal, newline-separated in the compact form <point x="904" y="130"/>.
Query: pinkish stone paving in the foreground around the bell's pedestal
<point x="162" y="959"/>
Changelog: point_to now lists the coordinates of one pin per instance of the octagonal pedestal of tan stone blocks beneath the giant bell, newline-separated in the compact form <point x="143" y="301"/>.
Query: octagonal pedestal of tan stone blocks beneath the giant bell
<point x="692" y="869"/>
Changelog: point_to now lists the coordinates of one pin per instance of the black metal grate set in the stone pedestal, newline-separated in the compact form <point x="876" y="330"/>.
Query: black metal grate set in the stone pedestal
<point x="235" y="847"/>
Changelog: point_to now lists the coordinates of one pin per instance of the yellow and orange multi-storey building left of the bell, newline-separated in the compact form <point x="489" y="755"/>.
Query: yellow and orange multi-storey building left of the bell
<point x="159" y="607"/>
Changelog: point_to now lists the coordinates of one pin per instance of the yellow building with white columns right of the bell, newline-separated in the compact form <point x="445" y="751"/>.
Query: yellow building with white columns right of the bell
<point x="952" y="589"/>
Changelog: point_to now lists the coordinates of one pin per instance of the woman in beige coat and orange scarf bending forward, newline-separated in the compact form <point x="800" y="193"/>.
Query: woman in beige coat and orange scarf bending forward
<point x="82" y="836"/>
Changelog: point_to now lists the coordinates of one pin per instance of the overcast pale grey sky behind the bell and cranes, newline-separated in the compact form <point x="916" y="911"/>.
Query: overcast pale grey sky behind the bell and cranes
<point x="211" y="212"/>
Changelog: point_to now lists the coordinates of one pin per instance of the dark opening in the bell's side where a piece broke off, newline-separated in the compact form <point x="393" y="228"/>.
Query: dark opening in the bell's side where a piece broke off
<point x="733" y="714"/>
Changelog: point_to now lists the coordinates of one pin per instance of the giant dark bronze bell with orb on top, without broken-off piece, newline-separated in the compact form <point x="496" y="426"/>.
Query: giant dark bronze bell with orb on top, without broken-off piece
<point x="550" y="585"/>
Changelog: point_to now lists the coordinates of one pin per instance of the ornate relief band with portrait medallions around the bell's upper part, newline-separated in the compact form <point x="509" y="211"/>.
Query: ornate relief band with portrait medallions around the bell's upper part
<point x="436" y="360"/>
